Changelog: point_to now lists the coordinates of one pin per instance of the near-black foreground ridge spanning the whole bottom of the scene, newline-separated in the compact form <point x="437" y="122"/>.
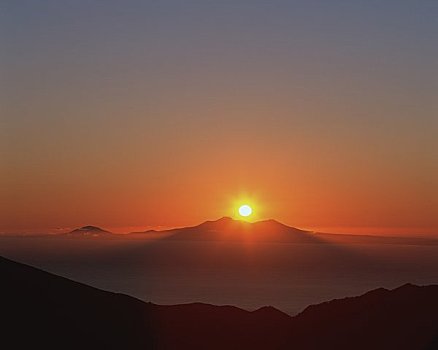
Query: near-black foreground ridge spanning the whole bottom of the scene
<point x="43" y="311"/>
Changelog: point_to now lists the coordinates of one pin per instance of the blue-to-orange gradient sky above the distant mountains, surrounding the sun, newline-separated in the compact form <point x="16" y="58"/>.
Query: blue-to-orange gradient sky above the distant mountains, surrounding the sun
<point x="129" y="114"/>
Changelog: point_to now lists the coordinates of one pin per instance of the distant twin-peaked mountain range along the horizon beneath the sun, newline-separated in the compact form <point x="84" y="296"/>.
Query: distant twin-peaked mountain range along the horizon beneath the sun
<point x="229" y="229"/>
